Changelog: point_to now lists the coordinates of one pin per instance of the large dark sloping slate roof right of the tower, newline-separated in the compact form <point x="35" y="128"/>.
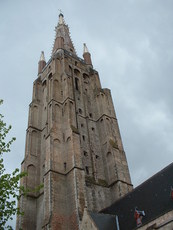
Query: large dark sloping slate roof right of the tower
<point x="152" y="196"/>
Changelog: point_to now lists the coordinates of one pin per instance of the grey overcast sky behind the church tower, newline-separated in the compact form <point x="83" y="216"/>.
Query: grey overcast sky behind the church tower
<point x="131" y="43"/>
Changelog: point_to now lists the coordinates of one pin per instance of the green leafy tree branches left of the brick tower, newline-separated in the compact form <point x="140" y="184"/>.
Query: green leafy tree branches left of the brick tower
<point x="10" y="189"/>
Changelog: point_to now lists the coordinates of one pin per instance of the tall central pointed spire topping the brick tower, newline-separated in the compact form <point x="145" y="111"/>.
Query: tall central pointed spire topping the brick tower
<point x="62" y="38"/>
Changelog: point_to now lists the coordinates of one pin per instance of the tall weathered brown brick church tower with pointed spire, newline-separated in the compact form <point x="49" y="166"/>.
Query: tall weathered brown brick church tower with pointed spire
<point x="73" y="143"/>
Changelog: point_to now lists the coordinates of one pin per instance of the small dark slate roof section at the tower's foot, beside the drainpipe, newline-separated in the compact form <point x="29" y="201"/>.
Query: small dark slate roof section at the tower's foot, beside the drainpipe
<point x="104" y="221"/>
